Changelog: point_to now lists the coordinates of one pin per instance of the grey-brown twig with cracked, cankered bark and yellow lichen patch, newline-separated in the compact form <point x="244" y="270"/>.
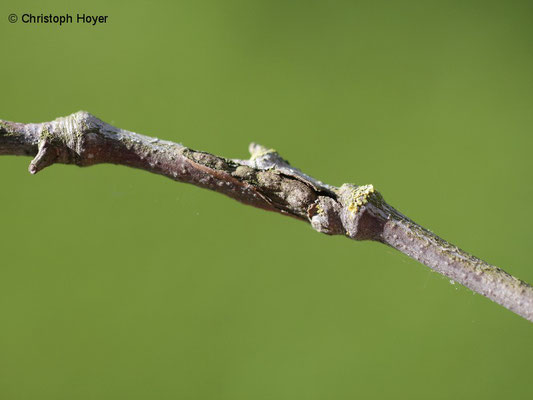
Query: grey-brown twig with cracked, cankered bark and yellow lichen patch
<point x="265" y="181"/>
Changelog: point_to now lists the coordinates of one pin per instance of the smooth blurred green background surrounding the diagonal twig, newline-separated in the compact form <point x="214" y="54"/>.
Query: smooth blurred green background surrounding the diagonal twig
<point x="119" y="284"/>
